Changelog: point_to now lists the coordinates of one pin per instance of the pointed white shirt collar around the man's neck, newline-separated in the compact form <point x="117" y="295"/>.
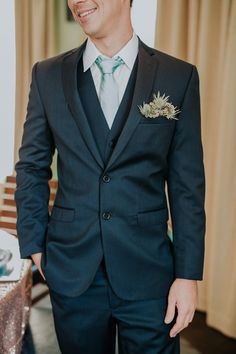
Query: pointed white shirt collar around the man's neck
<point x="128" y="53"/>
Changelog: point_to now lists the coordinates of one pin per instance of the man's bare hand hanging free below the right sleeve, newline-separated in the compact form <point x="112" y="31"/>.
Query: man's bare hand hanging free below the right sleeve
<point x="183" y="295"/>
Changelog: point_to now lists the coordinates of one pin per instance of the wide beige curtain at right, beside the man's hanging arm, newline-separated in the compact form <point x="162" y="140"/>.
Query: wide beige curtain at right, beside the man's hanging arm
<point x="203" y="32"/>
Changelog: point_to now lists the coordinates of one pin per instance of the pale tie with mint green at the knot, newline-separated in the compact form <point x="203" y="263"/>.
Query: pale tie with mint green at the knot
<point x="109" y="92"/>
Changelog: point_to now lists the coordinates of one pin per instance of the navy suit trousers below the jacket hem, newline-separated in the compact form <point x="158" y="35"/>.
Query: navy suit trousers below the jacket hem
<point x="87" y="324"/>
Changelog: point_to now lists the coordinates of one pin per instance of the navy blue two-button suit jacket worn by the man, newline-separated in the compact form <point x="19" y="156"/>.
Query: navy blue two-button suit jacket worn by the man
<point x="122" y="216"/>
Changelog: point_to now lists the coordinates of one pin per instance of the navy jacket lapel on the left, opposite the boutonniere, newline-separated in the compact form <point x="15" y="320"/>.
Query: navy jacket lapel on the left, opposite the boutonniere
<point x="69" y="80"/>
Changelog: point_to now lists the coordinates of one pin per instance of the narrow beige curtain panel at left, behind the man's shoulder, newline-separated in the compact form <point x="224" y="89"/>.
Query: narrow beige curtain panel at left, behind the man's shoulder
<point x="35" y="40"/>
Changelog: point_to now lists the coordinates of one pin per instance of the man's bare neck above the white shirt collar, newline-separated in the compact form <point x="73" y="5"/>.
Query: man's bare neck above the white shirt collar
<point x="111" y="45"/>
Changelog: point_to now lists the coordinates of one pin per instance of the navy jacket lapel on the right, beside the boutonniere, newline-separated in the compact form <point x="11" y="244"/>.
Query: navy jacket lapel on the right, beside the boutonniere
<point x="146" y="73"/>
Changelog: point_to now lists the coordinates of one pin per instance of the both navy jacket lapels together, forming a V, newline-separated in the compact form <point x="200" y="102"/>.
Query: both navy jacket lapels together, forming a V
<point x="146" y="73"/>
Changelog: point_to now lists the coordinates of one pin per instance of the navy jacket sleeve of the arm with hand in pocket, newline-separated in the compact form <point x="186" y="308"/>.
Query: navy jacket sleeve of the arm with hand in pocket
<point x="33" y="172"/>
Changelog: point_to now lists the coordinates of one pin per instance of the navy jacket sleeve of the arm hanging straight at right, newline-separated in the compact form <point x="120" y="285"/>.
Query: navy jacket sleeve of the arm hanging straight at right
<point x="186" y="186"/>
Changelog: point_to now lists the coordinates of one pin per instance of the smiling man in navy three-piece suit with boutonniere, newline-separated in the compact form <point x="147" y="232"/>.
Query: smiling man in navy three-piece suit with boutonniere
<point x="105" y="252"/>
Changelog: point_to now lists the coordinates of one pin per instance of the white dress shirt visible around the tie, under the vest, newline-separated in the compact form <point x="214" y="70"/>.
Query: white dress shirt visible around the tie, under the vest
<point x="128" y="53"/>
